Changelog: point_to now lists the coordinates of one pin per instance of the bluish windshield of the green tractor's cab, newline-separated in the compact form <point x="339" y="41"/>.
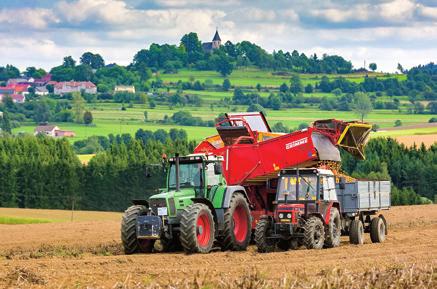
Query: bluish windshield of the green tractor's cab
<point x="190" y="175"/>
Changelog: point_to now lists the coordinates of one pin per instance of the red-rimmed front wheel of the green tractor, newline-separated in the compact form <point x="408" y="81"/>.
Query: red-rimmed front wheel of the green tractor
<point x="197" y="230"/>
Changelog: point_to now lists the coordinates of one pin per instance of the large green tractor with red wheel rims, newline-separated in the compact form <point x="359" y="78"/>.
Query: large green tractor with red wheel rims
<point x="197" y="211"/>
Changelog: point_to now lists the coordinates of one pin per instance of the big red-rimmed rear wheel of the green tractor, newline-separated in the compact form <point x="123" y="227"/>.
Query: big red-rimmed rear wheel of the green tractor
<point x="237" y="224"/>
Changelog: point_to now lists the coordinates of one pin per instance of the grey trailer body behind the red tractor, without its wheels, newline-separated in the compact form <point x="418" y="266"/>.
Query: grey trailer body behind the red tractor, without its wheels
<point x="360" y="196"/>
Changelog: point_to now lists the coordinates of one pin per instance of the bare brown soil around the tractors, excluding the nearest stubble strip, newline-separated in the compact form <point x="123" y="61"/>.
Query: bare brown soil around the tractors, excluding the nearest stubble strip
<point x="73" y="255"/>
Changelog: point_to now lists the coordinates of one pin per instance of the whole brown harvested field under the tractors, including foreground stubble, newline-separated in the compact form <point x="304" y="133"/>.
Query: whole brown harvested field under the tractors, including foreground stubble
<point x="87" y="253"/>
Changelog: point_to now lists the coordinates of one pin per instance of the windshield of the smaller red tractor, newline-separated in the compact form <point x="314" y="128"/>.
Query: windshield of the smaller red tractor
<point x="307" y="188"/>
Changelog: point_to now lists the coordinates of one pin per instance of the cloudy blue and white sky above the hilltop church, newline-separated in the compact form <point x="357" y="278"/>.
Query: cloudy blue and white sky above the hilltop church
<point x="41" y="32"/>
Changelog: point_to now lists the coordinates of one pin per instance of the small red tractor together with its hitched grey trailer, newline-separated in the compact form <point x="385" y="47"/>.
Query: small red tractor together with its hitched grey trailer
<point x="314" y="207"/>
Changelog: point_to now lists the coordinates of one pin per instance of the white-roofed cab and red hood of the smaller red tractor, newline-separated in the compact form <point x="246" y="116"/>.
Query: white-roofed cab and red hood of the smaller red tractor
<point x="303" y="192"/>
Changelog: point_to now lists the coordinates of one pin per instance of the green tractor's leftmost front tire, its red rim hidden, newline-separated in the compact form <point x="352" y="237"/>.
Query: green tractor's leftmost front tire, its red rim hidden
<point x="129" y="239"/>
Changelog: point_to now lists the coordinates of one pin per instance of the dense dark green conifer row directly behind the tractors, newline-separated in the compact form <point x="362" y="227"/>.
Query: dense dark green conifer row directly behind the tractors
<point x="41" y="172"/>
